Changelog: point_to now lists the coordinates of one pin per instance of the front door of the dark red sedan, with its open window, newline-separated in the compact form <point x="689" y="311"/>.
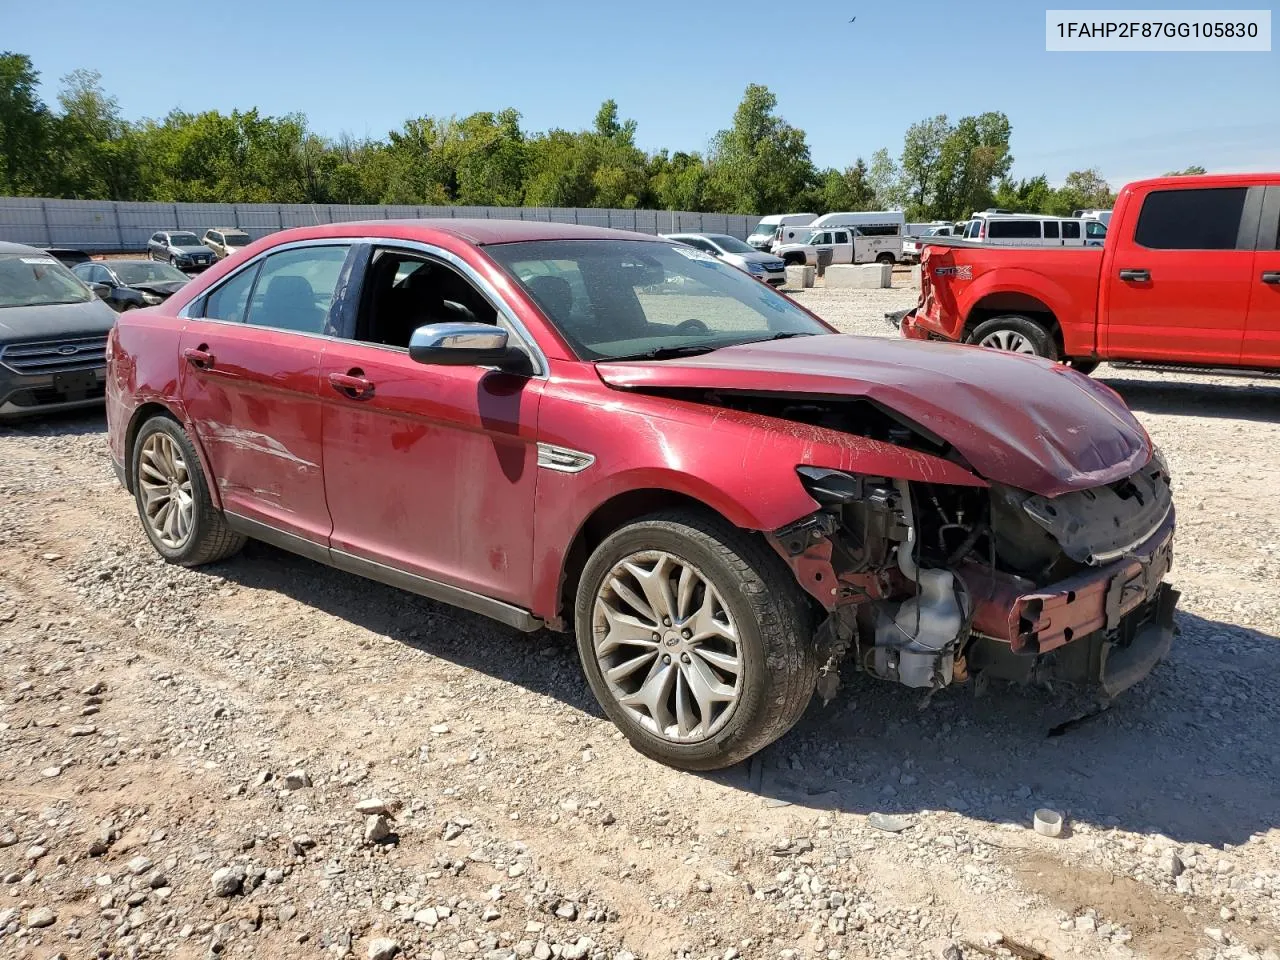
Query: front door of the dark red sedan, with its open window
<point x="429" y="470"/>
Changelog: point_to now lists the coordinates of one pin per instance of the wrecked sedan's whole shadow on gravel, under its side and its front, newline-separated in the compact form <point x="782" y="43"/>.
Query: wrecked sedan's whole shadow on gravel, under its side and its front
<point x="1194" y="752"/>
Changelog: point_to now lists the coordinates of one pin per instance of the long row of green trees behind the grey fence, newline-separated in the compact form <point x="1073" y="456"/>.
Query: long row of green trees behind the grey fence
<point x="760" y="164"/>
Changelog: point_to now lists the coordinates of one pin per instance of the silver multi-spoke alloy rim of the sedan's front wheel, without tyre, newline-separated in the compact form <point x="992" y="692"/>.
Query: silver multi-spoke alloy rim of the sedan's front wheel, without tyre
<point x="668" y="647"/>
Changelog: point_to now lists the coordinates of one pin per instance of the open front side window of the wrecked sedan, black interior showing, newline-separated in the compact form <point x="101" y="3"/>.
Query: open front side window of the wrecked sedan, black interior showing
<point x="404" y="291"/>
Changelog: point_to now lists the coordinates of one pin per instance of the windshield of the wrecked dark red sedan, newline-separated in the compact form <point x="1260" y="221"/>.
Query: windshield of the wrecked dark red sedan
<point x="619" y="300"/>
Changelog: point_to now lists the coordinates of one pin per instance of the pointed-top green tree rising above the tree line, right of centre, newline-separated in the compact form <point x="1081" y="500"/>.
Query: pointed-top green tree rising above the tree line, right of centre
<point x="761" y="164"/>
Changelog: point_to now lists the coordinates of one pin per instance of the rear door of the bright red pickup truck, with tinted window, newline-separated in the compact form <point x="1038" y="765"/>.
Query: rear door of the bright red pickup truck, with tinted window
<point x="1182" y="276"/>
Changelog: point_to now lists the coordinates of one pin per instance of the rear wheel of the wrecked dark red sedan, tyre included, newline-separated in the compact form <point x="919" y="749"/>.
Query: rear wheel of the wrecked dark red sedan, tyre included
<point x="173" y="500"/>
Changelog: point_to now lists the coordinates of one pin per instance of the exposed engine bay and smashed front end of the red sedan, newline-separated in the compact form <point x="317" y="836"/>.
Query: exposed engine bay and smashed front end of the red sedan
<point x="929" y="584"/>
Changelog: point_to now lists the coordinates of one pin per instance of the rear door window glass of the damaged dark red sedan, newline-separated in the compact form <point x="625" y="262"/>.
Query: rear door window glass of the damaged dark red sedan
<point x="295" y="289"/>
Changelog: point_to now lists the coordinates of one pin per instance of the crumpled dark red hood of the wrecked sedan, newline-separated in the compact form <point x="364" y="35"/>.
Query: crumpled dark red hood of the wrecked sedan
<point x="1017" y="420"/>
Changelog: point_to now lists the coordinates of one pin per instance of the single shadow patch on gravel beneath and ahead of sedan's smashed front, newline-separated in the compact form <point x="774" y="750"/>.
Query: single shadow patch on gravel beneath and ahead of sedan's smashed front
<point x="1194" y="752"/>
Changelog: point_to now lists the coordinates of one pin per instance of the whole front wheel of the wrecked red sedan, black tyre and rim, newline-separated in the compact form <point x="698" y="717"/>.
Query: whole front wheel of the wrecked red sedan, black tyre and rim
<point x="696" y="641"/>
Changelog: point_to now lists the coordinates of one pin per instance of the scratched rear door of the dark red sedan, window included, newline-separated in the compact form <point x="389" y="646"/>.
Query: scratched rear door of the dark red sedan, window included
<point x="250" y="385"/>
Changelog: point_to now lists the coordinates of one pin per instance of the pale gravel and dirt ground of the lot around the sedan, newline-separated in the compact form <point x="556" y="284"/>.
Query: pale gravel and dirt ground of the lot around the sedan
<point x="271" y="760"/>
